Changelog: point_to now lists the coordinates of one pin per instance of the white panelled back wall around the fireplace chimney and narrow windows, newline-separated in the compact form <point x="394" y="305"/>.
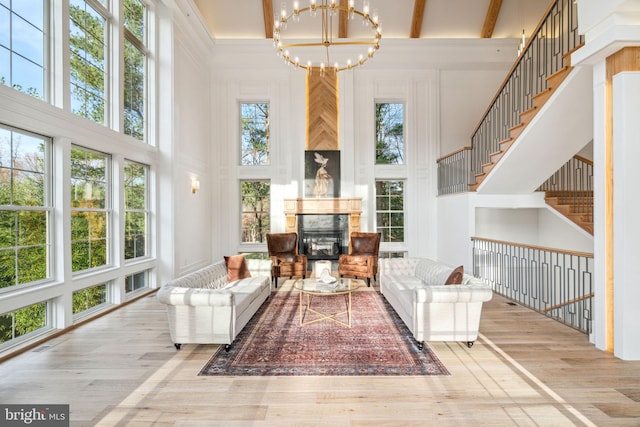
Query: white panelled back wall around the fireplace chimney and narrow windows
<point x="431" y="77"/>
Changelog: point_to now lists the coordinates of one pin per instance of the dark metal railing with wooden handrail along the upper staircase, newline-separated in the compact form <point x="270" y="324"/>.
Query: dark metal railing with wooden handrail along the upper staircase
<point x="545" y="53"/>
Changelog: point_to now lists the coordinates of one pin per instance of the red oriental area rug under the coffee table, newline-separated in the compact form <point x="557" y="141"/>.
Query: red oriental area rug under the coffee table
<point x="274" y="343"/>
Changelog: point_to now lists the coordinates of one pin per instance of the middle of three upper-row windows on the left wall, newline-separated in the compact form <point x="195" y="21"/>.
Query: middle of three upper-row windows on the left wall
<point x="87" y="43"/>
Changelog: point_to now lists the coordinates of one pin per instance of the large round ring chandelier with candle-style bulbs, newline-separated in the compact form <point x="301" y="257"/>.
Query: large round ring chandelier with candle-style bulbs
<point x="326" y="54"/>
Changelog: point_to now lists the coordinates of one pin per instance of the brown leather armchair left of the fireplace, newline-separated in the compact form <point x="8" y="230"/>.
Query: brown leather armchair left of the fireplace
<point x="285" y="260"/>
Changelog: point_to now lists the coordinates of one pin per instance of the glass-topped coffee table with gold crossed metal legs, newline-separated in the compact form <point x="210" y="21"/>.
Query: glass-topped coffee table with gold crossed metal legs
<point x="314" y="287"/>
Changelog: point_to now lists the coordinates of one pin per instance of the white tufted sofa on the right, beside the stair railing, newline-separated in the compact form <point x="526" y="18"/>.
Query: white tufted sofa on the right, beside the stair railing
<point x="432" y="310"/>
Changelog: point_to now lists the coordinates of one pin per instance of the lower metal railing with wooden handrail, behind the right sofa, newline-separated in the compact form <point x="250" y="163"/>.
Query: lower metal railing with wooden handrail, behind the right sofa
<point x="554" y="282"/>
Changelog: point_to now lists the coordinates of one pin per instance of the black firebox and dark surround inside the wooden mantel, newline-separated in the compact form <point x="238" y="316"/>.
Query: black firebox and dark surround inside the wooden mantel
<point x="323" y="236"/>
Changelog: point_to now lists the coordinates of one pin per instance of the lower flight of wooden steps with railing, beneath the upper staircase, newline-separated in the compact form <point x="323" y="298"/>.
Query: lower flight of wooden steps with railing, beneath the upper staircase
<point x="573" y="183"/>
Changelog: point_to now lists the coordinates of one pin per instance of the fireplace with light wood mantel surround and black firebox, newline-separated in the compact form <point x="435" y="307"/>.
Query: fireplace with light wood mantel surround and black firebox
<point x="323" y="224"/>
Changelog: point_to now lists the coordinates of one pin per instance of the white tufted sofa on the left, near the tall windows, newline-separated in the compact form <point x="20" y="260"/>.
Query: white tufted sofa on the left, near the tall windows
<point x="204" y="308"/>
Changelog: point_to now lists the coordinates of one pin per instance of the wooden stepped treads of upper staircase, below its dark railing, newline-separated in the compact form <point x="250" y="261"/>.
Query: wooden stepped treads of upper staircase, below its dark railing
<point x="526" y="117"/>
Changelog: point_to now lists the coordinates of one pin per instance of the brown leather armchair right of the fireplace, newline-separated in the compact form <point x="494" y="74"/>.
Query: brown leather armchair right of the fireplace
<point x="362" y="260"/>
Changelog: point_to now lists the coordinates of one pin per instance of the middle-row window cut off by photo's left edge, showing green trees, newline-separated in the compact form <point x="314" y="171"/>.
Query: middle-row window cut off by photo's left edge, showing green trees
<point x="25" y="207"/>
